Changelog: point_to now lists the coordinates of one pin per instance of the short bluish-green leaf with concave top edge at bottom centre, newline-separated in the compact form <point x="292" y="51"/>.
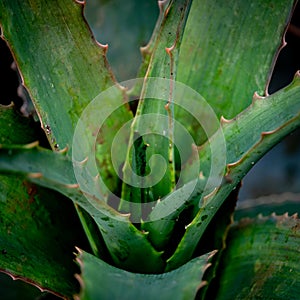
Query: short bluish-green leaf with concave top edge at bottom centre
<point x="102" y="281"/>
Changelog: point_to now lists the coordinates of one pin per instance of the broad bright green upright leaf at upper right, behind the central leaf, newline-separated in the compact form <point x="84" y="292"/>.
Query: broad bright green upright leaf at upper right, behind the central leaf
<point x="230" y="50"/>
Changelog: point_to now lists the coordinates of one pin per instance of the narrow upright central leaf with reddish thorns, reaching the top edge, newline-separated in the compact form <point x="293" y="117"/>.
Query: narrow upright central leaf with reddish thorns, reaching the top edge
<point x="157" y="115"/>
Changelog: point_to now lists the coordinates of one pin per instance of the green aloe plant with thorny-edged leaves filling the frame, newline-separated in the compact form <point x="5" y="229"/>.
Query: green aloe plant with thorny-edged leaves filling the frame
<point x="140" y="178"/>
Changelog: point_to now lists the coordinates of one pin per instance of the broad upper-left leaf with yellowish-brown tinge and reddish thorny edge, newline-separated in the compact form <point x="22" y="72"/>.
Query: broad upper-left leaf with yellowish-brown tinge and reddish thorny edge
<point x="63" y="69"/>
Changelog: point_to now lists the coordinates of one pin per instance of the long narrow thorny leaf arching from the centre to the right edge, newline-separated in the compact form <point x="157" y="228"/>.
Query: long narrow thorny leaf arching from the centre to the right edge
<point x="243" y="151"/>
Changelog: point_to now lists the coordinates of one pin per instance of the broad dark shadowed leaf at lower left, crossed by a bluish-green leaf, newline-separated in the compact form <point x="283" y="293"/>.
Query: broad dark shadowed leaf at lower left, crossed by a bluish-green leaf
<point x="38" y="228"/>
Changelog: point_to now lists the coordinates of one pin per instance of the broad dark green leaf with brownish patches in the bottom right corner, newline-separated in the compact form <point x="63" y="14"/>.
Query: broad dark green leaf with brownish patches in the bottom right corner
<point x="261" y="260"/>
